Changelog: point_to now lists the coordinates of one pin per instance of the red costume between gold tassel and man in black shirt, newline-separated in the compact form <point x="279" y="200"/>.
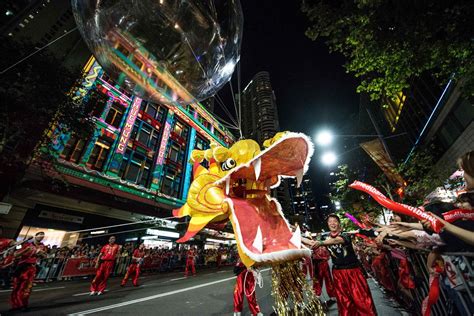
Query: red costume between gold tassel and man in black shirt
<point x="322" y="272"/>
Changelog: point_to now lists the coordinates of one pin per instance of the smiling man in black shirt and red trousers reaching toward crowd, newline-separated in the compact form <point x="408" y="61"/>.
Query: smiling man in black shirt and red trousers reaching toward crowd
<point x="351" y="289"/>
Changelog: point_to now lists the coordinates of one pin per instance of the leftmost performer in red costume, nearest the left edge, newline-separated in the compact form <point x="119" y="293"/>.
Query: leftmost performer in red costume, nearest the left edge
<point x="26" y="271"/>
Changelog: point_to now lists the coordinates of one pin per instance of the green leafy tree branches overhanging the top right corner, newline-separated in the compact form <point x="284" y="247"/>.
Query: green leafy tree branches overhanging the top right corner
<point x="387" y="44"/>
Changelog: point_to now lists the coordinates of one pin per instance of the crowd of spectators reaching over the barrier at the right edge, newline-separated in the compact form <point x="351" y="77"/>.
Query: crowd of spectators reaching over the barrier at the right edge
<point x="421" y="267"/>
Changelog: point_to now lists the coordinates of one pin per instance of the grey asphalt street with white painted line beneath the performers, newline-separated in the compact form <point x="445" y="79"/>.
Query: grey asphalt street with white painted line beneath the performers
<point x="208" y="293"/>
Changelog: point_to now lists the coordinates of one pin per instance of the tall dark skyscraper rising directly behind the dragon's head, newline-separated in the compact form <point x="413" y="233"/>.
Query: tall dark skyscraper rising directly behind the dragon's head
<point x="260" y="122"/>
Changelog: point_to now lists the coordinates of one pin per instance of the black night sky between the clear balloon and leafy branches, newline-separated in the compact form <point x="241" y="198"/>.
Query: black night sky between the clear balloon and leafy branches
<point x="311" y="86"/>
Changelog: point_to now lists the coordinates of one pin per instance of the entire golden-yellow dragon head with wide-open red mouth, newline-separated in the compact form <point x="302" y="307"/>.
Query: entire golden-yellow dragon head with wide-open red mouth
<point x="236" y="187"/>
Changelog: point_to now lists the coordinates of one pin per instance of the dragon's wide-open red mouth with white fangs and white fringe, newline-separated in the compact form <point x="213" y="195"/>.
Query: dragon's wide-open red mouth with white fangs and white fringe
<point x="261" y="229"/>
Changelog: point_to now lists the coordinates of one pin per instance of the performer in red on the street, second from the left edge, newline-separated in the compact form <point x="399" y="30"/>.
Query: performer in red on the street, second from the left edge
<point x="104" y="265"/>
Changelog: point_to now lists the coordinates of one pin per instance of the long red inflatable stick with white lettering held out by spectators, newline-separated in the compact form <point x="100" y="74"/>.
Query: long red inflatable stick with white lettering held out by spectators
<point x="416" y="212"/>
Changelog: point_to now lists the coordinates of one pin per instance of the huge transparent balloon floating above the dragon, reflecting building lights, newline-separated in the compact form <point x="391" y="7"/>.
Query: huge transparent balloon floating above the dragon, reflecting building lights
<point x="162" y="50"/>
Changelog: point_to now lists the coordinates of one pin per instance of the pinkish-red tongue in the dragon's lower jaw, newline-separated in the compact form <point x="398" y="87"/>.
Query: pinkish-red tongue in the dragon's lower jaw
<point x="261" y="214"/>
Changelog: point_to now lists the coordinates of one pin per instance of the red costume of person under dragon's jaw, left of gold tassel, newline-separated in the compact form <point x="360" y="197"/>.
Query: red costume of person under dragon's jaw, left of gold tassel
<point x="245" y="284"/>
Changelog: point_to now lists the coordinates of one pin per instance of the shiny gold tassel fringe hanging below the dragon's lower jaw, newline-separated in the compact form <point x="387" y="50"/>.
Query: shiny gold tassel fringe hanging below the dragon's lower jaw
<point x="293" y="295"/>
